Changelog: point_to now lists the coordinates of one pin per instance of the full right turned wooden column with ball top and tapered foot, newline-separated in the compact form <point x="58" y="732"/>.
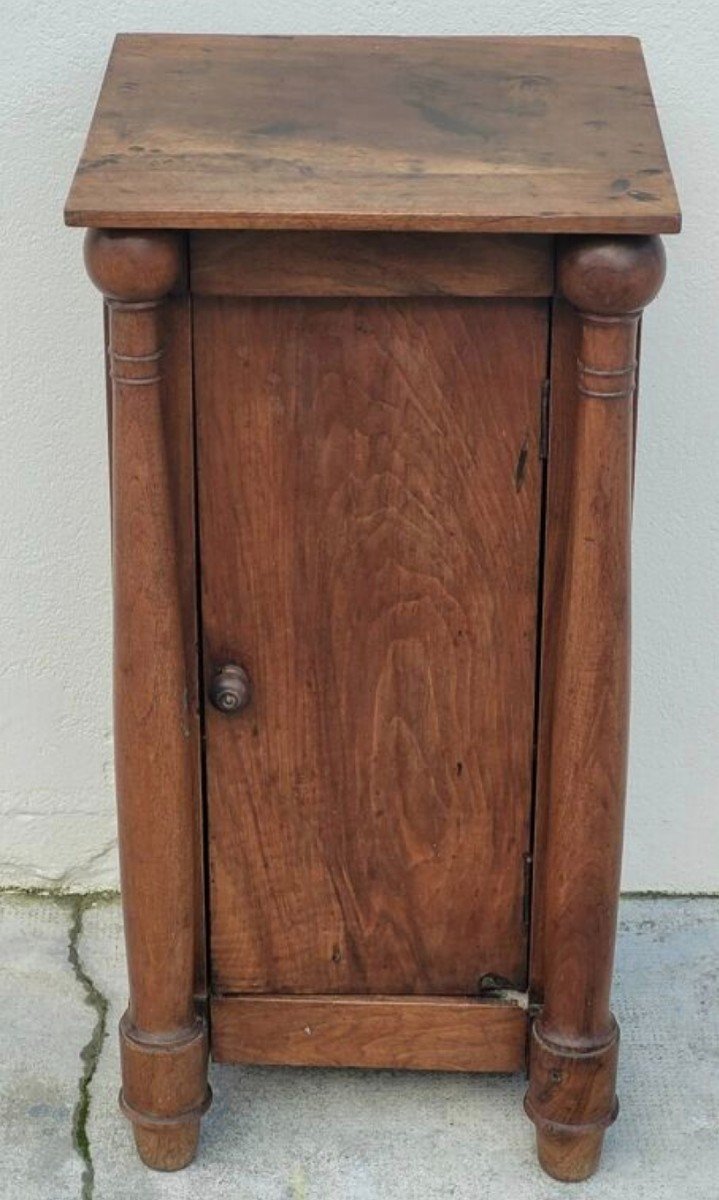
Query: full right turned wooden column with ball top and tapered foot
<point x="576" y="1039"/>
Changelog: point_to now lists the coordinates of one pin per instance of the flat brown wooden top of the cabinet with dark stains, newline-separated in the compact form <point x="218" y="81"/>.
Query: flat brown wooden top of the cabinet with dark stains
<point x="528" y="135"/>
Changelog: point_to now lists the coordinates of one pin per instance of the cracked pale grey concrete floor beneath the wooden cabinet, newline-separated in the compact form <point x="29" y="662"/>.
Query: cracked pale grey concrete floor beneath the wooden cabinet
<point x="277" y="1135"/>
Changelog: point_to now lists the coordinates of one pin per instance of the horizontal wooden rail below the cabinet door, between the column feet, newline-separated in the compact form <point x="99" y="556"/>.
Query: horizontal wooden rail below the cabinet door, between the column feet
<point x="372" y="1031"/>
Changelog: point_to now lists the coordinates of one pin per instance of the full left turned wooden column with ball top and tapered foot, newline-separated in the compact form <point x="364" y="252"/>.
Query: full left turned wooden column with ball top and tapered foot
<point x="164" y="1040"/>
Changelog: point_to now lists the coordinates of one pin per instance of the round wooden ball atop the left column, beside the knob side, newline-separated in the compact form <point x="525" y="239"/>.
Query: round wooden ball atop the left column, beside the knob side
<point x="134" y="265"/>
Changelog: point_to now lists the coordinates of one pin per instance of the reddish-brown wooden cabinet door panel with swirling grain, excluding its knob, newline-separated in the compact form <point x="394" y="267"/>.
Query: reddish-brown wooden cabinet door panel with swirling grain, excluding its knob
<point x="370" y="508"/>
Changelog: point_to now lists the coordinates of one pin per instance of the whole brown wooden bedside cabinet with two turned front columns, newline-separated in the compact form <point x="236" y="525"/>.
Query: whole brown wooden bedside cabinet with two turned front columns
<point x="373" y="311"/>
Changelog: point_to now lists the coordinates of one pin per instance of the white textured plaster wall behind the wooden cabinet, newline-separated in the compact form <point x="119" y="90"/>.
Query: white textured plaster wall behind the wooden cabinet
<point x="57" y="806"/>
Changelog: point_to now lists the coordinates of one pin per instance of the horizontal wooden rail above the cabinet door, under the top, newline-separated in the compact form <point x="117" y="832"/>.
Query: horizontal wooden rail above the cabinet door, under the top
<point x="370" y="265"/>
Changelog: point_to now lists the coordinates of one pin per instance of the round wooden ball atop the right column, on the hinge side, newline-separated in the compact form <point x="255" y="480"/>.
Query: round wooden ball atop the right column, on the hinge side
<point x="610" y="277"/>
